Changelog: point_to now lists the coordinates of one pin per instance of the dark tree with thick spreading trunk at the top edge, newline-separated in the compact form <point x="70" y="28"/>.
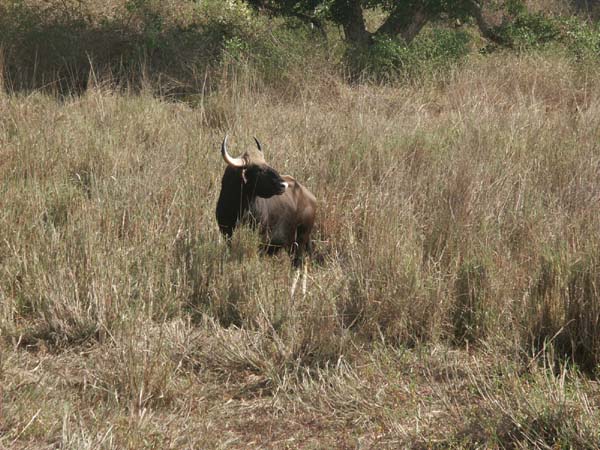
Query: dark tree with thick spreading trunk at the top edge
<point x="404" y="18"/>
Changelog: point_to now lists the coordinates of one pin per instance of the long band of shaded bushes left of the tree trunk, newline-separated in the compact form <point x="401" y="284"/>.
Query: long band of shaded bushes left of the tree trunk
<point x="189" y="45"/>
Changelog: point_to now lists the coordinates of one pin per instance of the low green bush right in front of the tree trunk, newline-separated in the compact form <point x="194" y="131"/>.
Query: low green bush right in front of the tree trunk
<point x="434" y="50"/>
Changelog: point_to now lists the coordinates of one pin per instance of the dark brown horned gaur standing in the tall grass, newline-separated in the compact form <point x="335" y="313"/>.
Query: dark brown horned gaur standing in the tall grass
<point x="253" y="192"/>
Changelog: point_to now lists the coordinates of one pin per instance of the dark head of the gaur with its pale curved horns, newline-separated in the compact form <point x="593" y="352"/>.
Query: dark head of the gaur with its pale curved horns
<point x="257" y="177"/>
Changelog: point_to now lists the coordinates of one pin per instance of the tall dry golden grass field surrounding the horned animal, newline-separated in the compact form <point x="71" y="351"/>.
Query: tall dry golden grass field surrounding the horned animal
<point x="456" y="215"/>
